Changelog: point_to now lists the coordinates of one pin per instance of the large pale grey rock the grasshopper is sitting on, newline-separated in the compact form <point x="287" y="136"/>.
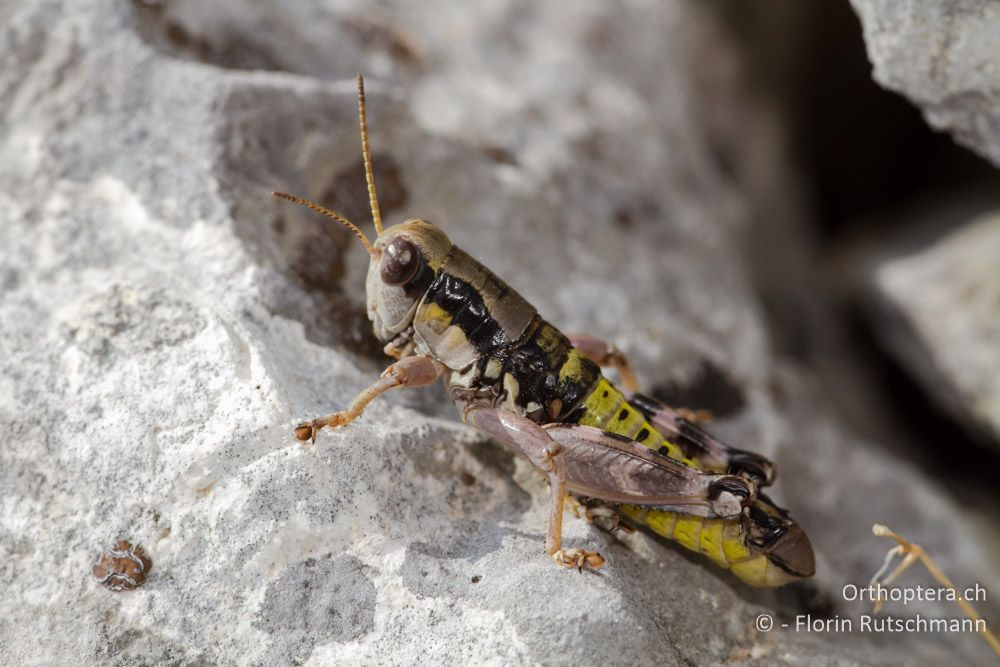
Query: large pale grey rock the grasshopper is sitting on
<point x="164" y="324"/>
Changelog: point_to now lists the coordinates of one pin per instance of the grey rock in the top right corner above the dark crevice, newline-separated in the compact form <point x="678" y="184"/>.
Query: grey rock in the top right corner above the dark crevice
<point x="942" y="55"/>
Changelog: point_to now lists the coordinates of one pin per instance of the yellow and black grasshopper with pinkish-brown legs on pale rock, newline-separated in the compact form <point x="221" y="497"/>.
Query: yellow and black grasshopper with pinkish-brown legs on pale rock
<point x="515" y="377"/>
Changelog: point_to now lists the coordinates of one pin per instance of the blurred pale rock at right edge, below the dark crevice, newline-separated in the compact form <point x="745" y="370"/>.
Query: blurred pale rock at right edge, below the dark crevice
<point x="938" y="311"/>
